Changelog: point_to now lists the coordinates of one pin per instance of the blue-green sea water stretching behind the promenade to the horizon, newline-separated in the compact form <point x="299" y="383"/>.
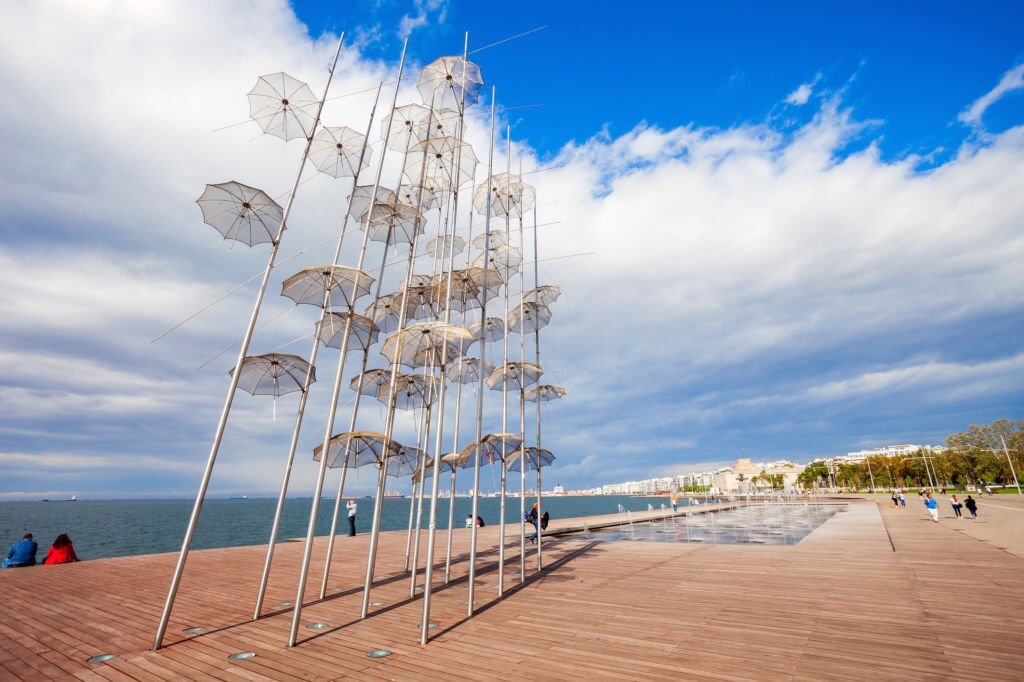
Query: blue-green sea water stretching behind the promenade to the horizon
<point x="119" y="528"/>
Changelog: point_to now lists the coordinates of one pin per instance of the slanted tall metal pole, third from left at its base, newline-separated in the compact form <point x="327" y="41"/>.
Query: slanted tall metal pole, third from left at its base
<point x="338" y="378"/>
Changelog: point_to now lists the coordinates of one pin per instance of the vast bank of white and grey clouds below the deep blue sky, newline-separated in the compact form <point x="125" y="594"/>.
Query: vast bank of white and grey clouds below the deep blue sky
<point x="734" y="269"/>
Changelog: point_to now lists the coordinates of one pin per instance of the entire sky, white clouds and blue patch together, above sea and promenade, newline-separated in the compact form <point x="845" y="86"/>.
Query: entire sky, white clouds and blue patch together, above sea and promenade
<point x="804" y="226"/>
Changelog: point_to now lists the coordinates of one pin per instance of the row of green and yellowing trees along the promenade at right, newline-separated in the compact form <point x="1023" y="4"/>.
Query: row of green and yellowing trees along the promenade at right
<point x="971" y="458"/>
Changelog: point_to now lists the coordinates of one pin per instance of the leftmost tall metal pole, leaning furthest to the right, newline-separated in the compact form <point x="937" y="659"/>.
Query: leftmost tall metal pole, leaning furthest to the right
<point x="236" y="374"/>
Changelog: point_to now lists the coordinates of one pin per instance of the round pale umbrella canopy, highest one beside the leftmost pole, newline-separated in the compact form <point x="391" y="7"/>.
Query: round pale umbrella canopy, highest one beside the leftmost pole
<point x="283" y="107"/>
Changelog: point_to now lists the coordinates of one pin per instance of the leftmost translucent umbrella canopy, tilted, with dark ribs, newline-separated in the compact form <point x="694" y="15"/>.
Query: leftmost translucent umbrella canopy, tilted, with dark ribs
<point x="241" y="214"/>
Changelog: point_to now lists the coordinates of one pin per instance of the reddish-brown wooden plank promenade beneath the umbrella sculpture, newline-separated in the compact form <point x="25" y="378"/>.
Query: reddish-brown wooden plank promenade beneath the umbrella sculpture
<point x="876" y="593"/>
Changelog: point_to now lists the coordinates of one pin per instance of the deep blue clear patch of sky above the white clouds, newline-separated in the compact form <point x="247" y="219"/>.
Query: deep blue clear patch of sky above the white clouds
<point x="720" y="64"/>
